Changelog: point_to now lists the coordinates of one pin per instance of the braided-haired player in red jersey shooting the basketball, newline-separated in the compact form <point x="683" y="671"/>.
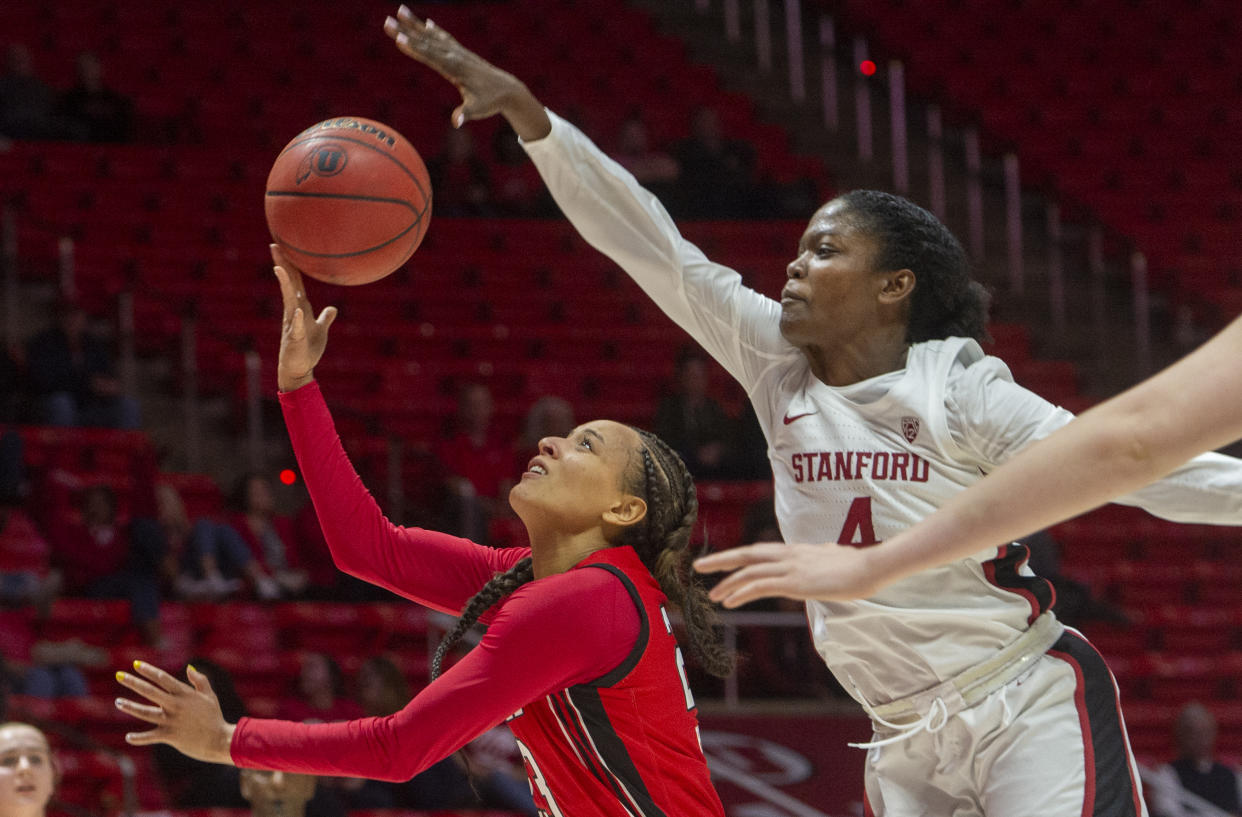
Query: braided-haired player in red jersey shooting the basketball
<point x="579" y="655"/>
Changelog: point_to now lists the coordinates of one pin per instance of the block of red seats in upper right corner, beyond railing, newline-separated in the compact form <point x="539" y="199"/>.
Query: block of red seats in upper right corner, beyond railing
<point x="1121" y="109"/>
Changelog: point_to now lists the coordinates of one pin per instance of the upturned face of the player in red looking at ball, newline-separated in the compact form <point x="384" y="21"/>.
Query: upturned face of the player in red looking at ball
<point x="576" y="480"/>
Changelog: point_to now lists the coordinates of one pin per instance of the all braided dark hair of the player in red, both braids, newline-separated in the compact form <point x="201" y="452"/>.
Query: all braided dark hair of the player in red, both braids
<point x="663" y="542"/>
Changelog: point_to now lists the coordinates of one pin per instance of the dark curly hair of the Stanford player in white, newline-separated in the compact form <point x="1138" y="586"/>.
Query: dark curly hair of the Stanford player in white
<point x="947" y="301"/>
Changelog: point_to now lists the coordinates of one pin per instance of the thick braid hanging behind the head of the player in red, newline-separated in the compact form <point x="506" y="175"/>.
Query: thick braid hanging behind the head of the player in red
<point x="663" y="543"/>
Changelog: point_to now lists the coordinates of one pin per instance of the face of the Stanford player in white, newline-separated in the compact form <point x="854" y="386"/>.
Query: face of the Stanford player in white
<point x="832" y="292"/>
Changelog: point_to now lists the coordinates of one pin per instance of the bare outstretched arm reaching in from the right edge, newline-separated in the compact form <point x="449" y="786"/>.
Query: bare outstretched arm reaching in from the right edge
<point x="1112" y="450"/>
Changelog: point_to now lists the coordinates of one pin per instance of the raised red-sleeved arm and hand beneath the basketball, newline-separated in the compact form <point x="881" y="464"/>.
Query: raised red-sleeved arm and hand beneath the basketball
<point x="430" y="568"/>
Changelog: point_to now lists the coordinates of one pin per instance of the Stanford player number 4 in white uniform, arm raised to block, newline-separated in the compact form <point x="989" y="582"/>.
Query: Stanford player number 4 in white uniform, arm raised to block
<point x="879" y="407"/>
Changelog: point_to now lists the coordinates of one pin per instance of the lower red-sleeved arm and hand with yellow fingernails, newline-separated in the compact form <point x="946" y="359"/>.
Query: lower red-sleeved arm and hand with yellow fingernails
<point x="522" y="659"/>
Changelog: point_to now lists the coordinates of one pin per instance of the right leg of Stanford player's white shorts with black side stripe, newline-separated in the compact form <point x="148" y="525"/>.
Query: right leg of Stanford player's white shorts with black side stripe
<point x="1061" y="746"/>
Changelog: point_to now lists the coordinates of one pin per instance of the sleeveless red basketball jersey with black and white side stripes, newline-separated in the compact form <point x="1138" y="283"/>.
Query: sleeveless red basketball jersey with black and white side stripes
<point x="628" y="744"/>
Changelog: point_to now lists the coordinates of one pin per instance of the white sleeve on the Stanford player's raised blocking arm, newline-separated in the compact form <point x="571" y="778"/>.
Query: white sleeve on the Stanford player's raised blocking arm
<point x="607" y="205"/>
